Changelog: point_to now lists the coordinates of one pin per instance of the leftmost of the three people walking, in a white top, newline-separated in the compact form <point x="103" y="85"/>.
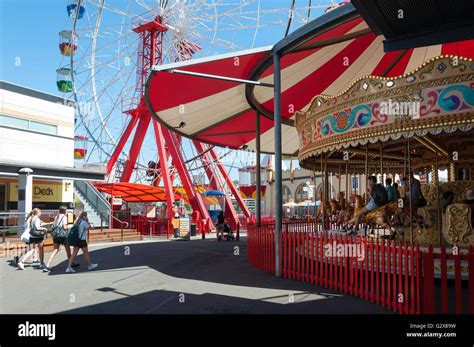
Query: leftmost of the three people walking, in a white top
<point x="37" y="235"/>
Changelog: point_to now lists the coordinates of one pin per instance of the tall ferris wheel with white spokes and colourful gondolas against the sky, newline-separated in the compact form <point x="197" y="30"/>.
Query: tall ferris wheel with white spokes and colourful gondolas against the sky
<point x="104" y="65"/>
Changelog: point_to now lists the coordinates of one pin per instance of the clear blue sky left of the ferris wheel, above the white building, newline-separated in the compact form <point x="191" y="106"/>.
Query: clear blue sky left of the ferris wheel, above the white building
<point x="29" y="42"/>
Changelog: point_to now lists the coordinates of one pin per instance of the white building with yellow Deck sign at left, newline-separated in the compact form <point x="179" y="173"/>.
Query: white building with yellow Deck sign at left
<point x="37" y="133"/>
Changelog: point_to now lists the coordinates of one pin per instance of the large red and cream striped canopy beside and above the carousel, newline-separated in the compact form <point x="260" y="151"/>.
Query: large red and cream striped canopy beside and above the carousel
<point x="323" y="57"/>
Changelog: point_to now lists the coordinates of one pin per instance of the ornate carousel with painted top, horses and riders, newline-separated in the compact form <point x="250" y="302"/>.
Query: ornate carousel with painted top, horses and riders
<point x="418" y="125"/>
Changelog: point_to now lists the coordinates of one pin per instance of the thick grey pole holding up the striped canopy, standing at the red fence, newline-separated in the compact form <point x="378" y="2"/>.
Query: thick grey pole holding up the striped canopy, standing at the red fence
<point x="278" y="178"/>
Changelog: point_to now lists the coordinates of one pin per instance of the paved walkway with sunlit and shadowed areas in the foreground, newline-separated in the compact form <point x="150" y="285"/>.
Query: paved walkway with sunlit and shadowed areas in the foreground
<point x="156" y="277"/>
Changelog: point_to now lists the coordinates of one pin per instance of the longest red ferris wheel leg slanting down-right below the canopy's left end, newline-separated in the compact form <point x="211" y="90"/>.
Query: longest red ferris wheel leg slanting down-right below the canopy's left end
<point x="195" y="199"/>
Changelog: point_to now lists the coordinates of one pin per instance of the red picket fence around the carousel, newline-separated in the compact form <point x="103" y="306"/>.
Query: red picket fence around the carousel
<point x="398" y="276"/>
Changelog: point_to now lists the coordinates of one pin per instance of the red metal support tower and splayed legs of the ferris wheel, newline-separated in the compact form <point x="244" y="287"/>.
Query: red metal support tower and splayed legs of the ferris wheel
<point x="150" y="53"/>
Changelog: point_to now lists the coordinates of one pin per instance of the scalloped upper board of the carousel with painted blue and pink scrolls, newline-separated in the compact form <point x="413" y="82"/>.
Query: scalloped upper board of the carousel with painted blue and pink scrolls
<point x="436" y="89"/>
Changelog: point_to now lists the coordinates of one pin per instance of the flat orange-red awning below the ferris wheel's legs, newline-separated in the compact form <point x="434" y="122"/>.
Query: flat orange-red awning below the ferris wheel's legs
<point x="134" y="192"/>
